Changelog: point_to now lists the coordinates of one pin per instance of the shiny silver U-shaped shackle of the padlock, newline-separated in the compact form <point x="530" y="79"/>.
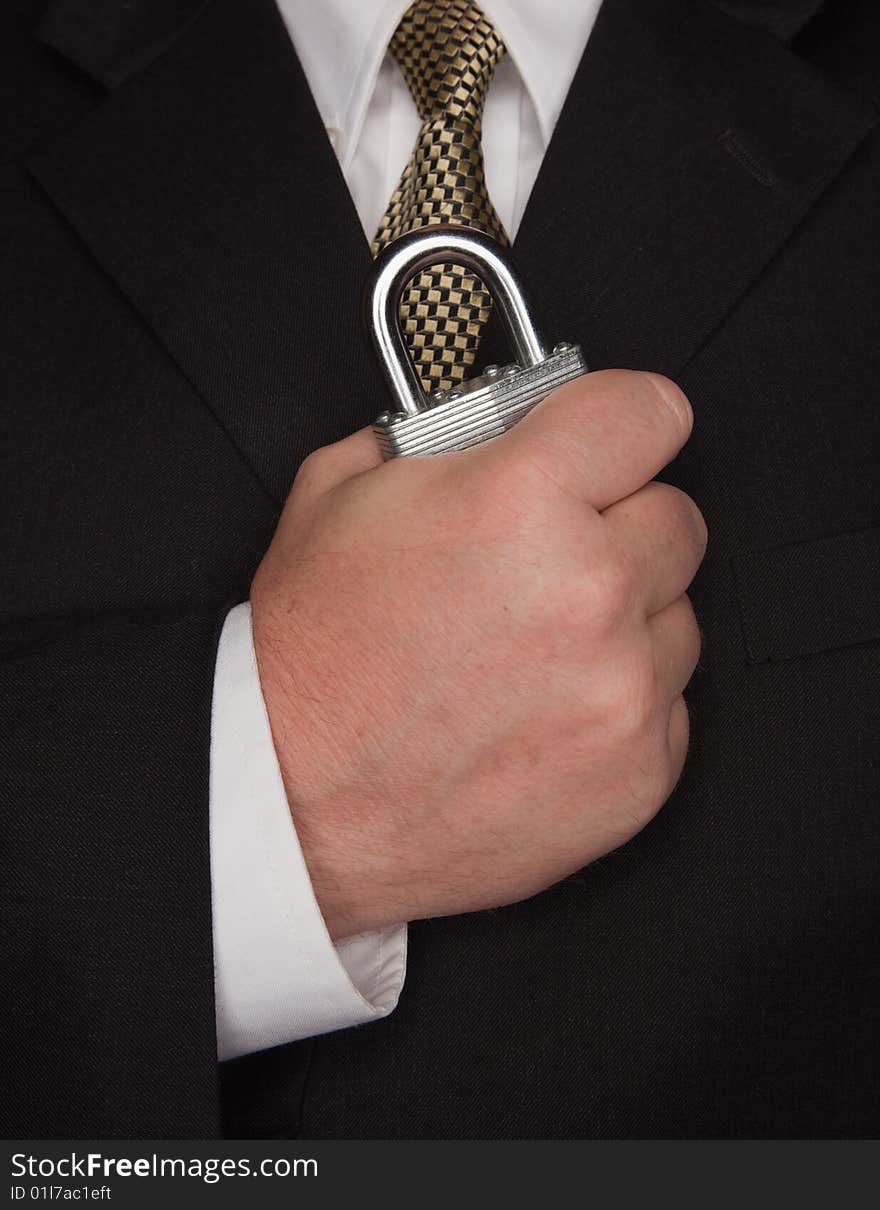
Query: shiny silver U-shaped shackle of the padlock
<point x="401" y="261"/>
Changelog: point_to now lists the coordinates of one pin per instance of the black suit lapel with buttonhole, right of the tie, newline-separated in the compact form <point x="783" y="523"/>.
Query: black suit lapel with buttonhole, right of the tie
<point x="689" y="148"/>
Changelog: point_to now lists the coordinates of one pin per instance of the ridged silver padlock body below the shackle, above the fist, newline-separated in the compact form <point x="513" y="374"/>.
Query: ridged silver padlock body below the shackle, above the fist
<point x="482" y="408"/>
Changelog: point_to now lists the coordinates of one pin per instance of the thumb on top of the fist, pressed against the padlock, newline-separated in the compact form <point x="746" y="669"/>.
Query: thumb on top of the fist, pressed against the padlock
<point x="605" y="435"/>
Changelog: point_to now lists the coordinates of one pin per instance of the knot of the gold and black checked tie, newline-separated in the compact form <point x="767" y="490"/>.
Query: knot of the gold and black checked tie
<point x="447" y="51"/>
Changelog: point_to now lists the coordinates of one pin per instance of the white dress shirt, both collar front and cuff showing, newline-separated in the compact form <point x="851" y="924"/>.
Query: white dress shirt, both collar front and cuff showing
<point x="279" y="977"/>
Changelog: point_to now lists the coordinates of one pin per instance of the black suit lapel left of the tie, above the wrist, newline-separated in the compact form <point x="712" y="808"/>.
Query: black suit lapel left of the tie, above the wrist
<point x="208" y="189"/>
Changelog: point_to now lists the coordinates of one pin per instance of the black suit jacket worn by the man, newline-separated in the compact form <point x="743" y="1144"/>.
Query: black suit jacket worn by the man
<point x="181" y="280"/>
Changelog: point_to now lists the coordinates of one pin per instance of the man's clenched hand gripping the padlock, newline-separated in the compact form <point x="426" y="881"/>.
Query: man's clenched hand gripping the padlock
<point x="474" y="662"/>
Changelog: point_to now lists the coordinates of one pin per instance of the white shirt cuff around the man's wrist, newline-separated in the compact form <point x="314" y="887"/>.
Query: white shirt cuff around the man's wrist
<point x="278" y="975"/>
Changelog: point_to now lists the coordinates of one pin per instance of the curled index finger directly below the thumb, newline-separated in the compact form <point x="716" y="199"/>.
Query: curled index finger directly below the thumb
<point x="662" y="533"/>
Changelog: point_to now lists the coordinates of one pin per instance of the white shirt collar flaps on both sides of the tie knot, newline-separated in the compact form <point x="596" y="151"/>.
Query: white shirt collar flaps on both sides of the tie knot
<point x="342" y="43"/>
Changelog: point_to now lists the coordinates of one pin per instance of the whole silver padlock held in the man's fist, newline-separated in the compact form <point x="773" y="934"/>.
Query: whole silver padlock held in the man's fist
<point x="482" y="407"/>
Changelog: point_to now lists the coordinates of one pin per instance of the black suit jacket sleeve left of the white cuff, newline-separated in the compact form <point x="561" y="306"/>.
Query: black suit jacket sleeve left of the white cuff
<point x="108" y="1023"/>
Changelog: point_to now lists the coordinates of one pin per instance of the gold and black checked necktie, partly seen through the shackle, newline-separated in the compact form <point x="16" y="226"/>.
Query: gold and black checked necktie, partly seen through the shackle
<point x="448" y="51"/>
